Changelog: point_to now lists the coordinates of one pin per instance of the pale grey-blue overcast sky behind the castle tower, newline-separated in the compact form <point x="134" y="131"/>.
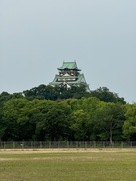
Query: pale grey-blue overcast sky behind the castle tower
<point x="36" y="36"/>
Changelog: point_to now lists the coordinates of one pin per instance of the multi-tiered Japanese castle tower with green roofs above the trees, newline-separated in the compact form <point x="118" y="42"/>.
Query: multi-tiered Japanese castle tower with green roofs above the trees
<point x="69" y="75"/>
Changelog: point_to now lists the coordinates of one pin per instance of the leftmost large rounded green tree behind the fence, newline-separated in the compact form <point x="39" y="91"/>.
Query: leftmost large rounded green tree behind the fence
<point x="16" y="123"/>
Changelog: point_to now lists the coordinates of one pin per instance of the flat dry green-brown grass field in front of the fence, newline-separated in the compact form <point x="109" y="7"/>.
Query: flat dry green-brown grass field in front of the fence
<point x="68" y="165"/>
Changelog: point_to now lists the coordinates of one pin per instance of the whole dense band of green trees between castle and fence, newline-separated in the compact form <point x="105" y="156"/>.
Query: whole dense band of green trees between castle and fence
<point x="54" y="113"/>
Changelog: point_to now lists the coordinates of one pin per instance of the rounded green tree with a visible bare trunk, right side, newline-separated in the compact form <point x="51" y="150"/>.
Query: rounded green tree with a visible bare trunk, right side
<point x="109" y="119"/>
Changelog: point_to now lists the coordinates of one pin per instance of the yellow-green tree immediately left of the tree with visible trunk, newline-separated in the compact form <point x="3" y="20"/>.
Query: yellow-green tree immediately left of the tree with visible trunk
<point x="82" y="117"/>
